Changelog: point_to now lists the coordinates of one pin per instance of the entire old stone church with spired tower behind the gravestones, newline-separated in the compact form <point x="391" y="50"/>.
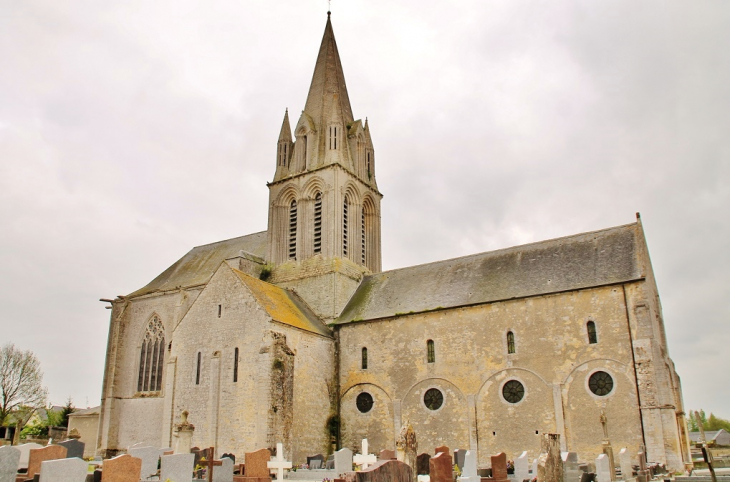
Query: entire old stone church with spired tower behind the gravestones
<point x="296" y="335"/>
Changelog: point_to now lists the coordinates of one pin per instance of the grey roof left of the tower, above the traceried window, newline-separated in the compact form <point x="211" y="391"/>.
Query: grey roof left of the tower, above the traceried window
<point x="199" y="264"/>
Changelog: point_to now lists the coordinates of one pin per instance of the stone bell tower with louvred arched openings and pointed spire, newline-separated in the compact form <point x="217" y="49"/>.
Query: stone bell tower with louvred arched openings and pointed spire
<point x="324" y="203"/>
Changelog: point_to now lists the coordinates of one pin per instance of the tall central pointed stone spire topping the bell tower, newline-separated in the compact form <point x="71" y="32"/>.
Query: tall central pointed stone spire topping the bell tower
<point x="328" y="92"/>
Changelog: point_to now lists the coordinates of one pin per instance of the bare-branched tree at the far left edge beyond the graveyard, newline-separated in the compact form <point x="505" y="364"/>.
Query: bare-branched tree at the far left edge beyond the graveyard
<point x="20" y="384"/>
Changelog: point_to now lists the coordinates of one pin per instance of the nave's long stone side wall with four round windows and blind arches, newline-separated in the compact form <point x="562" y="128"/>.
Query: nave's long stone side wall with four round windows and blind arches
<point x="553" y="361"/>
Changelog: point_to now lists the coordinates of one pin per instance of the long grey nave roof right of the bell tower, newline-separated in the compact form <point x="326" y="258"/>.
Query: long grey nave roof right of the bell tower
<point x="574" y="262"/>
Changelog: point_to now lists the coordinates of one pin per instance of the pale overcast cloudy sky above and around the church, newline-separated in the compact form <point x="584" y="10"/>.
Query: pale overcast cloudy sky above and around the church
<point x="132" y="131"/>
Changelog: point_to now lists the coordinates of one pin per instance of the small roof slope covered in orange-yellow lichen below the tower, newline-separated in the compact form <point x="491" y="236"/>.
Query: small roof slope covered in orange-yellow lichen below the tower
<point x="283" y="305"/>
